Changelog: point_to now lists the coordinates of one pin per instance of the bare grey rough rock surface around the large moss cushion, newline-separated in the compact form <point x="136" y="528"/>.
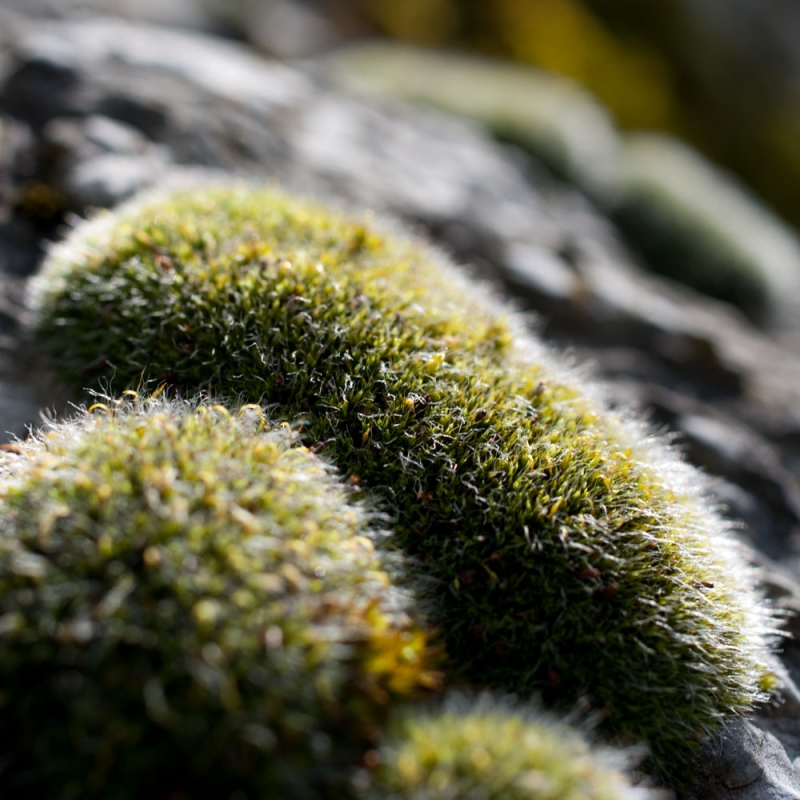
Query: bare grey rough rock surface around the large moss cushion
<point x="92" y="111"/>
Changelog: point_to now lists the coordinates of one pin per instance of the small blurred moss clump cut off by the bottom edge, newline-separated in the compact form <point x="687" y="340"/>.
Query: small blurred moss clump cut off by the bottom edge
<point x="496" y="751"/>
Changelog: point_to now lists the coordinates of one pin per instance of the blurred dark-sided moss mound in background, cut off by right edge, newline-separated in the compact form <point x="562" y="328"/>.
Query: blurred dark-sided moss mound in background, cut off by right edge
<point x="696" y="225"/>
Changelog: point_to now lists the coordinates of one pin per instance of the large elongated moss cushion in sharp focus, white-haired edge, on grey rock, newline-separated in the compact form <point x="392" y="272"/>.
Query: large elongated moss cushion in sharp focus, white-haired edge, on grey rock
<point x="569" y="554"/>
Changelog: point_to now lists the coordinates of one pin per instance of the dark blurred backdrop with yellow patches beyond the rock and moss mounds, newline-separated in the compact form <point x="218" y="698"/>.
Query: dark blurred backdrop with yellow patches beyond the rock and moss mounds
<point x="722" y="74"/>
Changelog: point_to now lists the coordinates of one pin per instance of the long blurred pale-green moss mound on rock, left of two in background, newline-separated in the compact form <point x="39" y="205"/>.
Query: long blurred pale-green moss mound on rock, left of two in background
<point x="550" y="116"/>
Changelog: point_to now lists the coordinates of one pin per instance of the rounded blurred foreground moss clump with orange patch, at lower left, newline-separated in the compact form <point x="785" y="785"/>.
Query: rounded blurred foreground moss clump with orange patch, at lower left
<point x="189" y="607"/>
